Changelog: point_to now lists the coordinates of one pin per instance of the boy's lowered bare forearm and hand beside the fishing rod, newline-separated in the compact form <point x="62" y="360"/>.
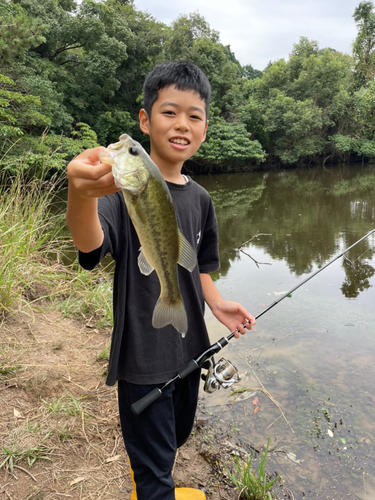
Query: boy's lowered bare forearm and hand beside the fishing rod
<point x="231" y="314"/>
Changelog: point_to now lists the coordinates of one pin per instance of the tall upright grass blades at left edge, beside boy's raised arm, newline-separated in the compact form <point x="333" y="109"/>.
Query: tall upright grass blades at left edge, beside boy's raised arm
<point x="29" y="236"/>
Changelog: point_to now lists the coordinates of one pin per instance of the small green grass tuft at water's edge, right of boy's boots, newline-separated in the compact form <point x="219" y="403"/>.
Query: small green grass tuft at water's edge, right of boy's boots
<point x="252" y="482"/>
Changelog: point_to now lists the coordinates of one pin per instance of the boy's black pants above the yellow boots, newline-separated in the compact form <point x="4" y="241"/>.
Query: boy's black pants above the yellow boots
<point x="152" y="438"/>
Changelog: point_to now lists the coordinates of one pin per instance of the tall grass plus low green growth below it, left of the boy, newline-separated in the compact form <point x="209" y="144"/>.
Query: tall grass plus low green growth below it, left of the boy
<point x="32" y="246"/>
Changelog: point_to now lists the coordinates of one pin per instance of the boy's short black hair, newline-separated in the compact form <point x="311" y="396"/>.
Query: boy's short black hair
<point x="183" y="75"/>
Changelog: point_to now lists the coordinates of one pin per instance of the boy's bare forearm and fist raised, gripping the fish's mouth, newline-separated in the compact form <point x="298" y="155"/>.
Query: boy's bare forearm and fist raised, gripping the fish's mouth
<point x="88" y="180"/>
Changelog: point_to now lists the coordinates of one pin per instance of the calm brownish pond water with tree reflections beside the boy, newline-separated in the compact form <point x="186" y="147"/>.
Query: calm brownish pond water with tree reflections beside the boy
<point x="314" y="352"/>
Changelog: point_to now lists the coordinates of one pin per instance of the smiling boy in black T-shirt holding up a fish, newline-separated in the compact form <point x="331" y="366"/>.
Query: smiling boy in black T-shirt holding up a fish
<point x="175" y="116"/>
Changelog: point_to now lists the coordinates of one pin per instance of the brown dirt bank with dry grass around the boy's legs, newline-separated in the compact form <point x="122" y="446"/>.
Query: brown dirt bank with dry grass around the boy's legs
<point x="59" y="427"/>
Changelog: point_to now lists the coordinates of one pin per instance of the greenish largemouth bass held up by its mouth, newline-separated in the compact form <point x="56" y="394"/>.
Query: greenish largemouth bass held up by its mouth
<point x="150" y="207"/>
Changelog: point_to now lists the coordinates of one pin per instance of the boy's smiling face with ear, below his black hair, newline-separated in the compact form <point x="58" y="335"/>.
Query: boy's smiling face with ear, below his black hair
<point x="177" y="127"/>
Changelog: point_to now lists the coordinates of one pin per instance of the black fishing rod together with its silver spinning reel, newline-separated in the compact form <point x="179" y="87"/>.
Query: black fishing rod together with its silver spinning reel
<point x="224" y="372"/>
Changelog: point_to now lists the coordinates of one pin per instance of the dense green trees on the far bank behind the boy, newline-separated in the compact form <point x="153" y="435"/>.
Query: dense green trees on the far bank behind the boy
<point x="71" y="77"/>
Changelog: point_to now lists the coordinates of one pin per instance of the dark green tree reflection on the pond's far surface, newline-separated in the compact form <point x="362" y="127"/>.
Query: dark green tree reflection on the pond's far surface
<point x="311" y="214"/>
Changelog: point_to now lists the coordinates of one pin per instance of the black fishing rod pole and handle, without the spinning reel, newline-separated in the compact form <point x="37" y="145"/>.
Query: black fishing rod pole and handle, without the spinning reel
<point x="198" y="362"/>
